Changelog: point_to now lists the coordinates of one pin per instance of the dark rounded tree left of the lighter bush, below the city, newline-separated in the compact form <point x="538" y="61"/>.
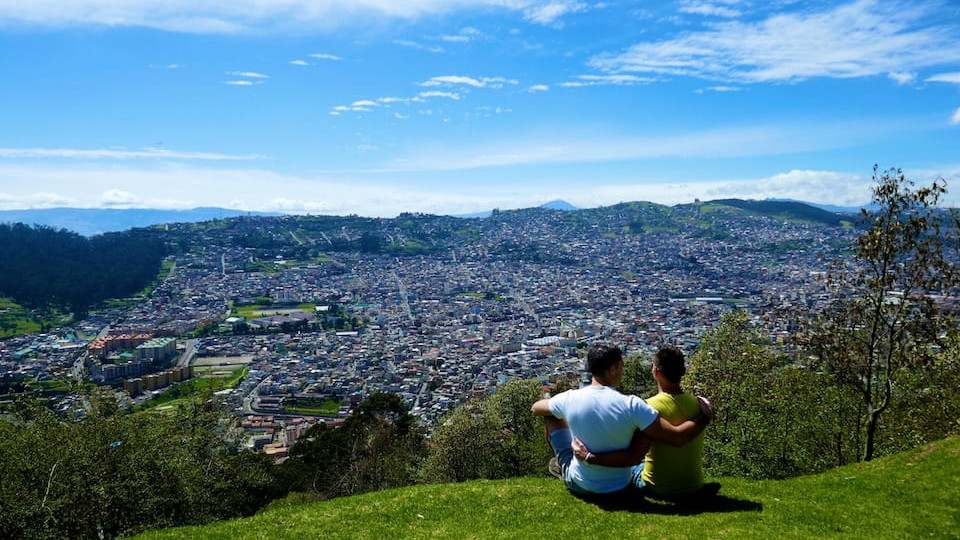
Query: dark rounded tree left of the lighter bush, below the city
<point x="377" y="447"/>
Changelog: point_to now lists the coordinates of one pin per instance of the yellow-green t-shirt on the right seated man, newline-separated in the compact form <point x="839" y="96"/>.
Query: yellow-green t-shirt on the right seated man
<point x="671" y="470"/>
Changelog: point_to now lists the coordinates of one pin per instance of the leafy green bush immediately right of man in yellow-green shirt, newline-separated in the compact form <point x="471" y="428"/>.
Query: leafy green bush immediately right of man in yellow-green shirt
<point x="772" y="420"/>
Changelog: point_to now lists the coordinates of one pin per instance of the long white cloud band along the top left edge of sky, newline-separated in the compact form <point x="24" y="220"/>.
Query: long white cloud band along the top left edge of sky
<point x="231" y="16"/>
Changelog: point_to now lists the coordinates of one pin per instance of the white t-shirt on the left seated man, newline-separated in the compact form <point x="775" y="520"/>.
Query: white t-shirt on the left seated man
<point x="605" y="420"/>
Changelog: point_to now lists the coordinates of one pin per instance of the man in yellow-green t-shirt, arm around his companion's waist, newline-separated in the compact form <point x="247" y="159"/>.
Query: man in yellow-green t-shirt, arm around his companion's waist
<point x="667" y="470"/>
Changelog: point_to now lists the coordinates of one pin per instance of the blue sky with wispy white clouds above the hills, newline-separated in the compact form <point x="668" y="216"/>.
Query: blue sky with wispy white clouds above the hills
<point x="377" y="107"/>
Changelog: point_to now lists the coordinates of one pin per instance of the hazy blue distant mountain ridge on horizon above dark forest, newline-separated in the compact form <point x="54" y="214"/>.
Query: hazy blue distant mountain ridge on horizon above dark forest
<point x="92" y="221"/>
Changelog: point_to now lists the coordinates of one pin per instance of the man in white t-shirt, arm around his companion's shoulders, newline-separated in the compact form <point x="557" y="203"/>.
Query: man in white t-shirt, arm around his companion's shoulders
<point x="606" y="421"/>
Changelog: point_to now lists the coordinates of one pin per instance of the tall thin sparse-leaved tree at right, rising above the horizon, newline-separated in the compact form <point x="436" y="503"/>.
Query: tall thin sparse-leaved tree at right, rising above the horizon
<point x="884" y="319"/>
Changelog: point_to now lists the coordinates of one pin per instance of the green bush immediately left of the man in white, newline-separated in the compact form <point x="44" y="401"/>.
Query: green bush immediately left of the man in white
<point x="493" y="438"/>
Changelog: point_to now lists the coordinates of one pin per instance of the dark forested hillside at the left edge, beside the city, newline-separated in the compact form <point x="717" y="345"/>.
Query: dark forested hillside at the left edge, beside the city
<point x="41" y="267"/>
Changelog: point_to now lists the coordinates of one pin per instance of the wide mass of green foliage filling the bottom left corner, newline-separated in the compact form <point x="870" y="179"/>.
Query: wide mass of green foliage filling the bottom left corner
<point x="111" y="475"/>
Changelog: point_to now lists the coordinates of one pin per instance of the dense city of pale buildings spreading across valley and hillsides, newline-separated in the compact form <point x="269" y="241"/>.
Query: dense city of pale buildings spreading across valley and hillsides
<point x="437" y="328"/>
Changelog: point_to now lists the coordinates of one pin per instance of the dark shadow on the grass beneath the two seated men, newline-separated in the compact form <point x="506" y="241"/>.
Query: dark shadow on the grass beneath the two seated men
<point x="707" y="500"/>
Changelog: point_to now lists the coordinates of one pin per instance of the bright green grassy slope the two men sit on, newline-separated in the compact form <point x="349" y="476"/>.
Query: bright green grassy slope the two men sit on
<point x="910" y="495"/>
